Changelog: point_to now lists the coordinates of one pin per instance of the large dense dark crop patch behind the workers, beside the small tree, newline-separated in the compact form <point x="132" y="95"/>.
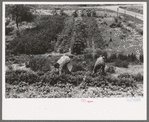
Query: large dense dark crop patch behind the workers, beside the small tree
<point x="38" y="40"/>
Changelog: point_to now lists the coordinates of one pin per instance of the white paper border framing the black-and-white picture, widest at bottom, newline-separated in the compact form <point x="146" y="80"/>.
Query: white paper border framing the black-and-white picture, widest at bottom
<point x="73" y="108"/>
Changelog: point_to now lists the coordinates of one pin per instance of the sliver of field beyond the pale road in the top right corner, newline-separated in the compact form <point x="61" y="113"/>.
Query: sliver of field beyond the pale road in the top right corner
<point x="137" y="9"/>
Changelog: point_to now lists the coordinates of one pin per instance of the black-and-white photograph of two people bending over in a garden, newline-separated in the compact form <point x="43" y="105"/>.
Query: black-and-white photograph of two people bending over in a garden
<point x="77" y="50"/>
